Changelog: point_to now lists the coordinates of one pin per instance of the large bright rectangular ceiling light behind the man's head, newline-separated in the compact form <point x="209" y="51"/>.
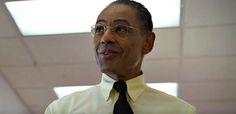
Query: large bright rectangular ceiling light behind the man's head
<point x="44" y="17"/>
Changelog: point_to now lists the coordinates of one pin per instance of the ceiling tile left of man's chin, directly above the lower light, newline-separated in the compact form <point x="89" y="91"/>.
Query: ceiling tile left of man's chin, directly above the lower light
<point x="71" y="75"/>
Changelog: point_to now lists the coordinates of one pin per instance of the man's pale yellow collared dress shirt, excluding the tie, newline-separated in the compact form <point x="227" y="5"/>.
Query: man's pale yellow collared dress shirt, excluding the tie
<point x="101" y="98"/>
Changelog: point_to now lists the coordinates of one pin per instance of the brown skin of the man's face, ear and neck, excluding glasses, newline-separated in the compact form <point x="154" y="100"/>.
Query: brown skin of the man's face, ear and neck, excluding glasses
<point x="121" y="57"/>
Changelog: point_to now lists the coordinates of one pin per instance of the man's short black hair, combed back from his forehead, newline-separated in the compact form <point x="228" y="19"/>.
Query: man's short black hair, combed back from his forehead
<point x="142" y="12"/>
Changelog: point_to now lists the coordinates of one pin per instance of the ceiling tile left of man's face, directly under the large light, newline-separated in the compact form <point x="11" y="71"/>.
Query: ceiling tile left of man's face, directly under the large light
<point x="61" y="49"/>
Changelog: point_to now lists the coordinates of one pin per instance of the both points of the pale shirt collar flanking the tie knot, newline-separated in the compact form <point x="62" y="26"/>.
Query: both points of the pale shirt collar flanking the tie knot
<point x="135" y="86"/>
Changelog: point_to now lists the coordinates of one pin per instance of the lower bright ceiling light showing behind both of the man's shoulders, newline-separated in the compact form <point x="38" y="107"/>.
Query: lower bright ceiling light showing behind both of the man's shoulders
<point x="170" y="88"/>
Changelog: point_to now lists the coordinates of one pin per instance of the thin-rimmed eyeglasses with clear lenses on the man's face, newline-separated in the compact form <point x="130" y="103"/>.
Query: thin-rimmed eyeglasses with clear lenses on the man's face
<point x="120" y="30"/>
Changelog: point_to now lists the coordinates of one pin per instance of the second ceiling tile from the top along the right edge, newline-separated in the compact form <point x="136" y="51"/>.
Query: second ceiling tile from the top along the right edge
<point x="210" y="41"/>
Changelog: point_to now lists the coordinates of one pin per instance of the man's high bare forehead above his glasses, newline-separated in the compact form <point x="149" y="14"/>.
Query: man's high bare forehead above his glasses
<point x="118" y="14"/>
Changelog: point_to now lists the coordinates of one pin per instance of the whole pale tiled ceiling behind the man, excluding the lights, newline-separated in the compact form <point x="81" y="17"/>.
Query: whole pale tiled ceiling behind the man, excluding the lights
<point x="33" y="65"/>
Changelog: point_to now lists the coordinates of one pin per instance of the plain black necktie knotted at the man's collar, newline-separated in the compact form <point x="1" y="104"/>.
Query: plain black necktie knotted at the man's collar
<point x="121" y="106"/>
